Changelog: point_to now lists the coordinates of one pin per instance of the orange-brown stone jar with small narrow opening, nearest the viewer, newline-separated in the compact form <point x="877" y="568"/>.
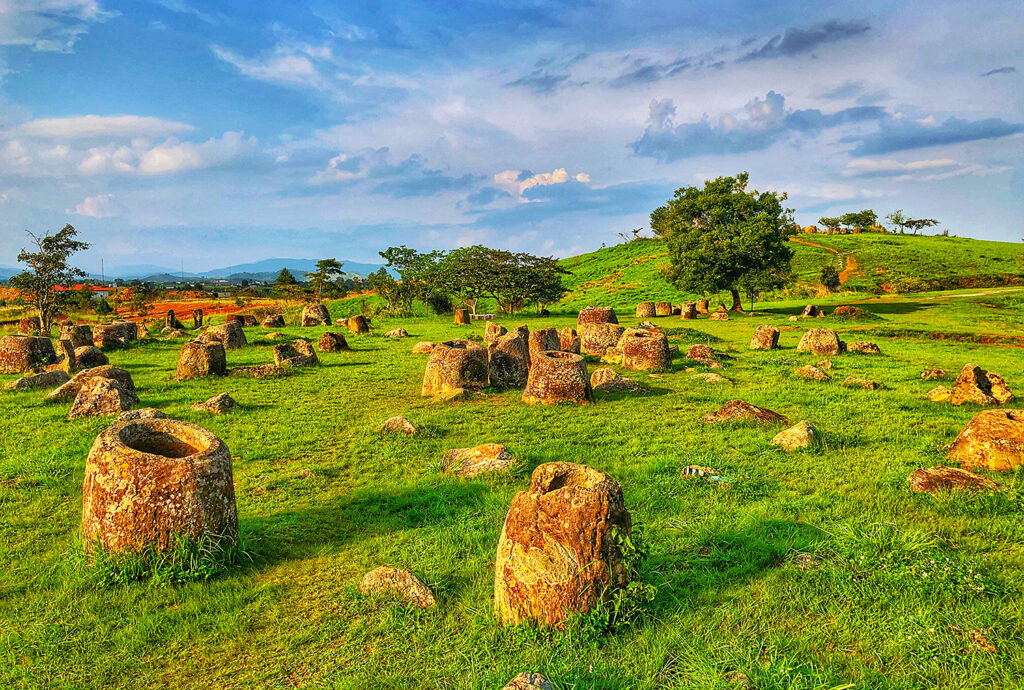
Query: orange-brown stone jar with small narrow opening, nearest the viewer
<point x="559" y="552"/>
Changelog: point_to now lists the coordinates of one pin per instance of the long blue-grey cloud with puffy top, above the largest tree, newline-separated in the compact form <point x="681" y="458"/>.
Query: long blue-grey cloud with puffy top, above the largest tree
<point x="764" y="122"/>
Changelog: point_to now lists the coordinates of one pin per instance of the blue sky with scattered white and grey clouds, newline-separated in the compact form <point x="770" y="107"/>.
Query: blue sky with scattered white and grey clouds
<point x="221" y="133"/>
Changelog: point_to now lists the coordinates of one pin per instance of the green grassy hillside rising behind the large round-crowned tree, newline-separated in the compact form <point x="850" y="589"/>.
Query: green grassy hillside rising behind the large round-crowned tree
<point x="625" y="275"/>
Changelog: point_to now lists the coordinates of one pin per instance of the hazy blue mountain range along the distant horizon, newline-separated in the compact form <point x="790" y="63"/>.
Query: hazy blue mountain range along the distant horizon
<point x="267" y="270"/>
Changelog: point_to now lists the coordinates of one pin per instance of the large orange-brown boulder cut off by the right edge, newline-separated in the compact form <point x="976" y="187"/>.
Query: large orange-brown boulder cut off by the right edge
<point x="993" y="440"/>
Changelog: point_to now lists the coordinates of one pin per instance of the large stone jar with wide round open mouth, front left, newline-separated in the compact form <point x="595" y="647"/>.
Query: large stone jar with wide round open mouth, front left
<point x="149" y="482"/>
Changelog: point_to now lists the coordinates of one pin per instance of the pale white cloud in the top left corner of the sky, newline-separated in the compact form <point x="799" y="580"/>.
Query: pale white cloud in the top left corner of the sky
<point x="53" y="26"/>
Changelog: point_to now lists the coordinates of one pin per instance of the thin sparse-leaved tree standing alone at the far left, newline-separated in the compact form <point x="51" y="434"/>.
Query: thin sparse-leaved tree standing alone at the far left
<point x="49" y="270"/>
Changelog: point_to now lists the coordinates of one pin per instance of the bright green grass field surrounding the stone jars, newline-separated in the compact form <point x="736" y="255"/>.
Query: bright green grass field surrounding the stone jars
<point x="904" y="579"/>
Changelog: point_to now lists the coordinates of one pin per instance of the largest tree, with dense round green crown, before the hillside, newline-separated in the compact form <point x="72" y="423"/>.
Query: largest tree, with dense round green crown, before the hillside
<point x="724" y="237"/>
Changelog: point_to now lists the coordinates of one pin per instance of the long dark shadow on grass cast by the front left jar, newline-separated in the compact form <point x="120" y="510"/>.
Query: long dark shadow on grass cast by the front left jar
<point x="363" y="515"/>
